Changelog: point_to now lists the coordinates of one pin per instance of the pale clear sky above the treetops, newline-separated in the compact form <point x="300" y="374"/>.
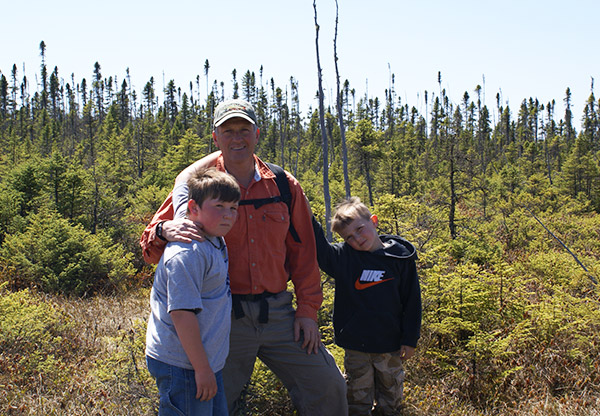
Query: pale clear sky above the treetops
<point x="519" y="49"/>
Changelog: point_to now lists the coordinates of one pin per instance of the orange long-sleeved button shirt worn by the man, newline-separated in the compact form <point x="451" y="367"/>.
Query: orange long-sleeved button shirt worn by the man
<point x="262" y="253"/>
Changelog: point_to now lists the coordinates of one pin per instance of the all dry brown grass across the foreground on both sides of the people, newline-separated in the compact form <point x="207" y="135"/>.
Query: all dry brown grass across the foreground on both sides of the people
<point x="106" y="375"/>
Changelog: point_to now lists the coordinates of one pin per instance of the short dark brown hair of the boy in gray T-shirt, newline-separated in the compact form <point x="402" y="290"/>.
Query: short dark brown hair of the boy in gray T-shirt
<point x="213" y="184"/>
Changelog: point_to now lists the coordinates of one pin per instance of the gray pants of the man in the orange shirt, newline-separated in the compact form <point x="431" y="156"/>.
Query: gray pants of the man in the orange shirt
<point x="314" y="381"/>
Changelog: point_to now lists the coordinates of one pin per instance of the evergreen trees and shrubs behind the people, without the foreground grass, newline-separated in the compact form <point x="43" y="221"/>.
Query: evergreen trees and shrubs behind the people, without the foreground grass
<point x="504" y="213"/>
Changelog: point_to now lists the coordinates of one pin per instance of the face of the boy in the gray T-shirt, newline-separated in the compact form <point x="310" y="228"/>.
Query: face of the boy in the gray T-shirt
<point x="216" y="216"/>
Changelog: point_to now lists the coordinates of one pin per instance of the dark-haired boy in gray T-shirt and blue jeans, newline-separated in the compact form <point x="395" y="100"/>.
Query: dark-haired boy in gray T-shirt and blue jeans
<point x="187" y="339"/>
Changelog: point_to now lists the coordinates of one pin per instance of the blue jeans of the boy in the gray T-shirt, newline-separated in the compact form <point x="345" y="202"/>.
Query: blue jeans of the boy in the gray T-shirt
<point x="177" y="389"/>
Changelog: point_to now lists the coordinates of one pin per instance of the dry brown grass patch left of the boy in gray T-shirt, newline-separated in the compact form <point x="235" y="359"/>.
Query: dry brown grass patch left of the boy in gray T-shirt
<point x="99" y="325"/>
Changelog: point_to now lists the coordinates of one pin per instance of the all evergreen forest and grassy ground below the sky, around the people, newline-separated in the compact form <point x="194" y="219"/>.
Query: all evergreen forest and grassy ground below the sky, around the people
<point x="502" y="204"/>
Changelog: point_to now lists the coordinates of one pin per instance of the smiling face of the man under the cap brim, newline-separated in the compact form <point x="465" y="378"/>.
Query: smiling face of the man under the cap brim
<point x="237" y="139"/>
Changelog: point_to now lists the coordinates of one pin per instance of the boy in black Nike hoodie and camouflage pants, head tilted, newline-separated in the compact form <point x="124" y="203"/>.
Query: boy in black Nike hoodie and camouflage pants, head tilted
<point x="377" y="307"/>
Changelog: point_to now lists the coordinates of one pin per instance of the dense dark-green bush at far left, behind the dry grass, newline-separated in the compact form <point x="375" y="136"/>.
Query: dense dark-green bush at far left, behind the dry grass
<point x="60" y="257"/>
